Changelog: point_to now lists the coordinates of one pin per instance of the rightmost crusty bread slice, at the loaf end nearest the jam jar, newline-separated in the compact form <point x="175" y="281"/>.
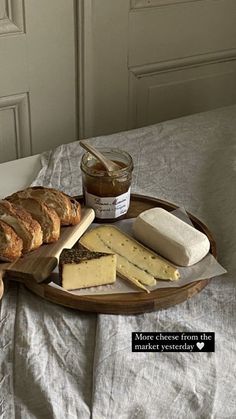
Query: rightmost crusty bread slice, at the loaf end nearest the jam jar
<point x="68" y="210"/>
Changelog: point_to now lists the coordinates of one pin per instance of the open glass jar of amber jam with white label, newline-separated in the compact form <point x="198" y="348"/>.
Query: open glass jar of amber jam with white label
<point x="107" y="194"/>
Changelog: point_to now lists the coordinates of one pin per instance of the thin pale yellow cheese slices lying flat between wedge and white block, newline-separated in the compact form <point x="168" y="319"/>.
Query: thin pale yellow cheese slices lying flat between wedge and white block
<point x="134" y="261"/>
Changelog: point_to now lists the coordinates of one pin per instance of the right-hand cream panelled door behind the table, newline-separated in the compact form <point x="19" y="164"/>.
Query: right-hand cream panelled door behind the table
<point x="147" y="61"/>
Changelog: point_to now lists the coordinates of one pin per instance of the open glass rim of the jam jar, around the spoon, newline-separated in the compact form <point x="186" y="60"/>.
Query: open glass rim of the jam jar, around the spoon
<point x="115" y="173"/>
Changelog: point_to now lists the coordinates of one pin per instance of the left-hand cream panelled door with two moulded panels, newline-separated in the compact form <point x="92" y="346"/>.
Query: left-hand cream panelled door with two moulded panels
<point x="37" y="76"/>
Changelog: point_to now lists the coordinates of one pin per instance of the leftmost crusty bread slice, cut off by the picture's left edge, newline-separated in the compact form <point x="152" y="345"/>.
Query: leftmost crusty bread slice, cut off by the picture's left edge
<point x="11" y="244"/>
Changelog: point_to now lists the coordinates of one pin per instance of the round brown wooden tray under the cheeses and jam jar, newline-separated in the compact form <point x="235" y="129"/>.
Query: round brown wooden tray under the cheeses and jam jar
<point x="132" y="303"/>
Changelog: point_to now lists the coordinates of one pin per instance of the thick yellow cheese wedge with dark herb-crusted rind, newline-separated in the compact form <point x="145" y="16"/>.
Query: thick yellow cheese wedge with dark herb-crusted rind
<point x="81" y="268"/>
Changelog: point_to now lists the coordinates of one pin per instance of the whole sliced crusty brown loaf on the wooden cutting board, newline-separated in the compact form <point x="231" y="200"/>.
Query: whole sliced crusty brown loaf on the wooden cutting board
<point x="33" y="216"/>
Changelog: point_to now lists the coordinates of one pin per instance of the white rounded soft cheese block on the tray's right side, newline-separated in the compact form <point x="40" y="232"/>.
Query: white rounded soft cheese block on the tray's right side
<point x="171" y="237"/>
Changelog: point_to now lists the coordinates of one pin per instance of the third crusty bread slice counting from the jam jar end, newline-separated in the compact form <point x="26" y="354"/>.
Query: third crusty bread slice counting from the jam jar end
<point x="24" y="225"/>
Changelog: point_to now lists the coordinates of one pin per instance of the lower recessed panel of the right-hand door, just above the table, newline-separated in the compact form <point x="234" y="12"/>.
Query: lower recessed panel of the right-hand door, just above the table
<point x="173" y="94"/>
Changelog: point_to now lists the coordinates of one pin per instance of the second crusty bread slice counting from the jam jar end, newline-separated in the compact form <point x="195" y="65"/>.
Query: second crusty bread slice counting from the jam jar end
<point x="46" y="217"/>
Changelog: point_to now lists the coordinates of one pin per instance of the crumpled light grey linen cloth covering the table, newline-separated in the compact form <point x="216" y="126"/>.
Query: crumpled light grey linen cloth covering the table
<point x="61" y="363"/>
